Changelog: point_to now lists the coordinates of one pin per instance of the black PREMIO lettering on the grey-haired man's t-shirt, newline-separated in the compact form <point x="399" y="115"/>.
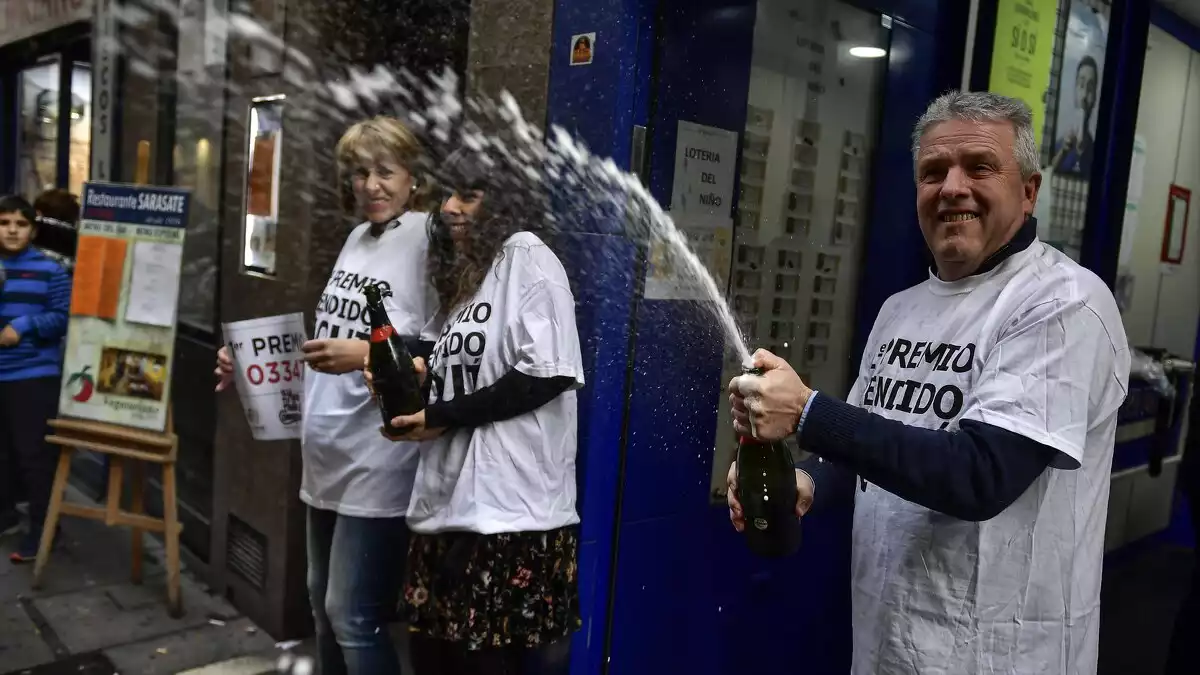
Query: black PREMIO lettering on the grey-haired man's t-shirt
<point x="920" y="397"/>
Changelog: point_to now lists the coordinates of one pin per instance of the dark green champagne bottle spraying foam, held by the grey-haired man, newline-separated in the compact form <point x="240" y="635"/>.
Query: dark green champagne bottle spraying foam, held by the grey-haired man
<point x="767" y="492"/>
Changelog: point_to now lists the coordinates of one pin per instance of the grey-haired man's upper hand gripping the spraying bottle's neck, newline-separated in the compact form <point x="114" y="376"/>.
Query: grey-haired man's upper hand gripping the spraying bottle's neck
<point x="767" y="408"/>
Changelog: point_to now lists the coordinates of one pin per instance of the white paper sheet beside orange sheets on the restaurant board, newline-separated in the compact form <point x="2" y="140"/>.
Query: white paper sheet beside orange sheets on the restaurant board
<point x="154" y="286"/>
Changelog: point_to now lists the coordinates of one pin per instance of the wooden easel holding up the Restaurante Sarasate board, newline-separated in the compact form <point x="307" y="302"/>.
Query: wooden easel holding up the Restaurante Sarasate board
<point x="119" y="444"/>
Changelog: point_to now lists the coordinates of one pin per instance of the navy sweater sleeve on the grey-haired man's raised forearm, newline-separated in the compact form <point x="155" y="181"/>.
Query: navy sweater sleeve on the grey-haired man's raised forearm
<point x="973" y="474"/>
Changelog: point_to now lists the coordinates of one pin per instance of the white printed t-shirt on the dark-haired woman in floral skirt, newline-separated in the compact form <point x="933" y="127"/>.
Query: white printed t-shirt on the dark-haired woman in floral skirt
<point x="517" y="475"/>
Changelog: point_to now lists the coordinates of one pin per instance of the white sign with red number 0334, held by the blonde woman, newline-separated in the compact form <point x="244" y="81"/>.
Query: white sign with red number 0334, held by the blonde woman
<point x="269" y="373"/>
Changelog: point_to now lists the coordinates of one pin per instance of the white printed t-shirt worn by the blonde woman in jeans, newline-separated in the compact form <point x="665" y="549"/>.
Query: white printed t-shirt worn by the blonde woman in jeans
<point x="349" y="467"/>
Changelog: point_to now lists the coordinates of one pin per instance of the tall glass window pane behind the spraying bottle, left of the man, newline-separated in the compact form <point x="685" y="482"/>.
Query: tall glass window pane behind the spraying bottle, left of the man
<point x="815" y="89"/>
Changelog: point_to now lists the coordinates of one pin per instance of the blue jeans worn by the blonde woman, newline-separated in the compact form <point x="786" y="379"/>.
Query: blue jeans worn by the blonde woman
<point x="356" y="571"/>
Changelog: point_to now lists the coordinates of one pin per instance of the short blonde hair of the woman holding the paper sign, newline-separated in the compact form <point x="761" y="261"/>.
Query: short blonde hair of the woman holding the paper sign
<point x="383" y="138"/>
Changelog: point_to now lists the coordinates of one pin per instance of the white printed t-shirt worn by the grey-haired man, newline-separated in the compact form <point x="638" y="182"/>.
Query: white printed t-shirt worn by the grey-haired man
<point x="1037" y="348"/>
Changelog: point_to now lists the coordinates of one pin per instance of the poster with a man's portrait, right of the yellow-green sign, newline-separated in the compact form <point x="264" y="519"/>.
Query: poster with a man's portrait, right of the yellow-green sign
<point x="1079" y="91"/>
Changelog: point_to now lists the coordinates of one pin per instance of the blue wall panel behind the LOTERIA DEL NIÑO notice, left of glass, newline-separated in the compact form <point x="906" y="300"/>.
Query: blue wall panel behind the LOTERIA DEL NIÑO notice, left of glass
<point x="667" y="614"/>
